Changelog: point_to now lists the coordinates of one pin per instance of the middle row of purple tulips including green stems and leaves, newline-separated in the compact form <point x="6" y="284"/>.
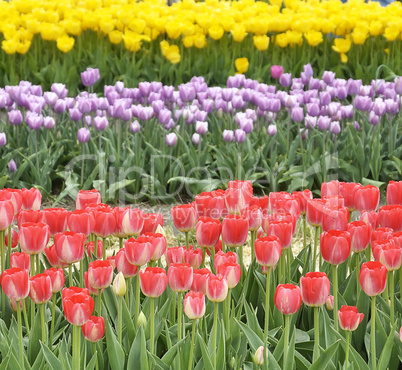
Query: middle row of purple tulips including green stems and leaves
<point x="155" y="132"/>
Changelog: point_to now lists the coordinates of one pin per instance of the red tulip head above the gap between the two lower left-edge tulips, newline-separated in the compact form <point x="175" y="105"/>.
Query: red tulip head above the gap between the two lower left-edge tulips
<point x="34" y="237"/>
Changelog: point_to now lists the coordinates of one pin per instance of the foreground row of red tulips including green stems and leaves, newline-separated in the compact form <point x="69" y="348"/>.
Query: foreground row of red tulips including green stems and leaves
<point x="222" y="221"/>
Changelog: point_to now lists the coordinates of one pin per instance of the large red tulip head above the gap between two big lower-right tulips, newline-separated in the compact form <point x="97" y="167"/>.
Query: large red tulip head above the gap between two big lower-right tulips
<point x="335" y="246"/>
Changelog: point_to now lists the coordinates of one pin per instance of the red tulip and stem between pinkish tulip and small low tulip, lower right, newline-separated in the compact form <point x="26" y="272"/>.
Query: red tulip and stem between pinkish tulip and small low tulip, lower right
<point x="315" y="287"/>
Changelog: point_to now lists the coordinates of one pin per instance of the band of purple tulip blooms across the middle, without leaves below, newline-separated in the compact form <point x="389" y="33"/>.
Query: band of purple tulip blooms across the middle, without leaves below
<point x="318" y="103"/>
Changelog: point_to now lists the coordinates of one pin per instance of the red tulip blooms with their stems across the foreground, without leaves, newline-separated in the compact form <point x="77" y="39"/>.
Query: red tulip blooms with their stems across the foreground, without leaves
<point x="227" y="215"/>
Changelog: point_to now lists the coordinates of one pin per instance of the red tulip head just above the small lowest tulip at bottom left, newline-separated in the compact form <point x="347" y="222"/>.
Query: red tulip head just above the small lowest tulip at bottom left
<point x="78" y="305"/>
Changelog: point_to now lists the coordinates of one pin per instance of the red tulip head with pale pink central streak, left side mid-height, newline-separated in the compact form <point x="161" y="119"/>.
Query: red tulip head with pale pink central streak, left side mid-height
<point x="70" y="247"/>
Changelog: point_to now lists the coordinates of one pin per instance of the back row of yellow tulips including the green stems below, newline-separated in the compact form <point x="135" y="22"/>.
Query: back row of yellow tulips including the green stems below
<point x="189" y="35"/>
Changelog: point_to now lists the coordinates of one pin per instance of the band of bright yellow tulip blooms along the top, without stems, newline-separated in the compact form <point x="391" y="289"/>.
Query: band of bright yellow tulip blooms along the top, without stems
<point x="285" y="23"/>
